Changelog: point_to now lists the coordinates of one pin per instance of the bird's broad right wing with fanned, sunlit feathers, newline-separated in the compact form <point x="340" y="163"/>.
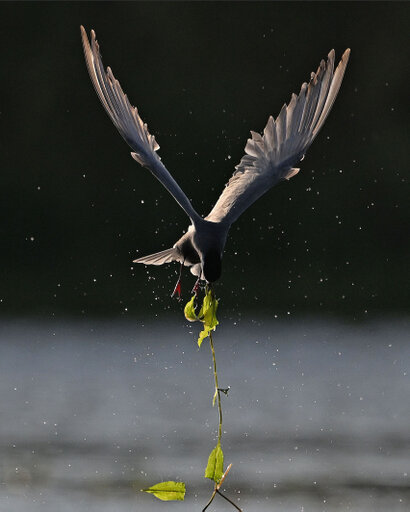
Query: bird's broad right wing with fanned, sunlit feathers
<point x="270" y="158"/>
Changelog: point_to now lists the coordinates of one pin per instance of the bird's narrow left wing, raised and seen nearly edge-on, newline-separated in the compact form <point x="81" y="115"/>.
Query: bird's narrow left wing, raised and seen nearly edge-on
<point x="128" y="122"/>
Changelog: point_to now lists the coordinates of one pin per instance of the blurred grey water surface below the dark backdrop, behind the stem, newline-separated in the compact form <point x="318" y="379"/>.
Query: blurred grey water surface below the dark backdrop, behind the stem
<point x="317" y="418"/>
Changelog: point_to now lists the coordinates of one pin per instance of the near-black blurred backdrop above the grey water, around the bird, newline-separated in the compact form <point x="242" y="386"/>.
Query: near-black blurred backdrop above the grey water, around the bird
<point x="76" y="209"/>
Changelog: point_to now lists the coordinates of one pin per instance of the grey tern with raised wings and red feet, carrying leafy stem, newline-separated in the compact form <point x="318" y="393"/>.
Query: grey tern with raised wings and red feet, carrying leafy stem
<point x="269" y="159"/>
